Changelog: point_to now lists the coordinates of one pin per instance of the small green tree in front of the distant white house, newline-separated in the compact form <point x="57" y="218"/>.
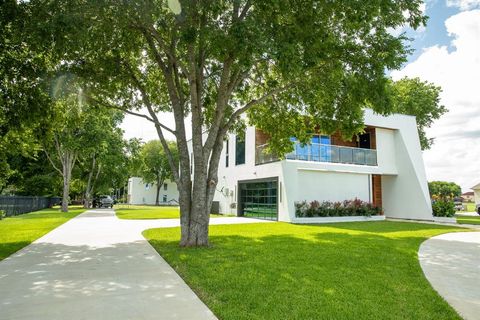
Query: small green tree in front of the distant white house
<point x="155" y="167"/>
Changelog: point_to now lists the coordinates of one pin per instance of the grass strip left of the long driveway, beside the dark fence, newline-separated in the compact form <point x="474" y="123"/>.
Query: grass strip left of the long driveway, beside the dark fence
<point x="19" y="231"/>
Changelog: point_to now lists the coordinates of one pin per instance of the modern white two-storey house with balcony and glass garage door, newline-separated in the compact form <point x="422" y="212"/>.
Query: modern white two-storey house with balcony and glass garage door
<point x="384" y="166"/>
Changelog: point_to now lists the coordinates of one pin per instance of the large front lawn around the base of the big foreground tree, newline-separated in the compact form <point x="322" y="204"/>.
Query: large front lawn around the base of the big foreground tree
<point x="285" y="271"/>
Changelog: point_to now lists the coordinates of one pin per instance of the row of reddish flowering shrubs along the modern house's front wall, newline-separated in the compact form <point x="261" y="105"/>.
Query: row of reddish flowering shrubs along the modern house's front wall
<point x="355" y="207"/>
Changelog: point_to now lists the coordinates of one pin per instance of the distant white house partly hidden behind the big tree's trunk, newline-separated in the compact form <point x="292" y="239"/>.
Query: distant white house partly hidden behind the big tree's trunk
<point x="140" y="192"/>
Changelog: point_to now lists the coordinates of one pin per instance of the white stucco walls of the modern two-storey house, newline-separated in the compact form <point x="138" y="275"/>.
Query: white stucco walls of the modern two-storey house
<point x="400" y="163"/>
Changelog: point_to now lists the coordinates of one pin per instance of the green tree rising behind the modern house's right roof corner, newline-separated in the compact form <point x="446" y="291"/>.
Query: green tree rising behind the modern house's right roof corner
<point x="420" y="99"/>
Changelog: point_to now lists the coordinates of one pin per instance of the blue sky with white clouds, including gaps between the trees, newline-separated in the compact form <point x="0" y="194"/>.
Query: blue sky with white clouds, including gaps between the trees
<point x="446" y="53"/>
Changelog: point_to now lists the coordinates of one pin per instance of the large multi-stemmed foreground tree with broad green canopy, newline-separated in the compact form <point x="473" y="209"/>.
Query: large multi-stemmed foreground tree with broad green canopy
<point x="286" y="63"/>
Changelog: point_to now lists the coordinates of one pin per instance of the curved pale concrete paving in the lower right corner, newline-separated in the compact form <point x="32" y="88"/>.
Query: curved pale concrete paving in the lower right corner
<point x="451" y="262"/>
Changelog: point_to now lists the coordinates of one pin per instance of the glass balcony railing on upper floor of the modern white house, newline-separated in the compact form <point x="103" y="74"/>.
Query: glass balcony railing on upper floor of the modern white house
<point x="317" y="152"/>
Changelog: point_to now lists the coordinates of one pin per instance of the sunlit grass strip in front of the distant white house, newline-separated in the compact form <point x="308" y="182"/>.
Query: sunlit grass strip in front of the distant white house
<point x="150" y="212"/>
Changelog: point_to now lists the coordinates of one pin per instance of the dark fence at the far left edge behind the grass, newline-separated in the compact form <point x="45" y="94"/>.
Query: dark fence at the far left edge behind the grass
<point x="15" y="205"/>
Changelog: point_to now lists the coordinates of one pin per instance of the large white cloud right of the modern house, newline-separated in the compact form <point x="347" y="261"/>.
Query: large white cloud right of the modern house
<point x="455" y="155"/>
